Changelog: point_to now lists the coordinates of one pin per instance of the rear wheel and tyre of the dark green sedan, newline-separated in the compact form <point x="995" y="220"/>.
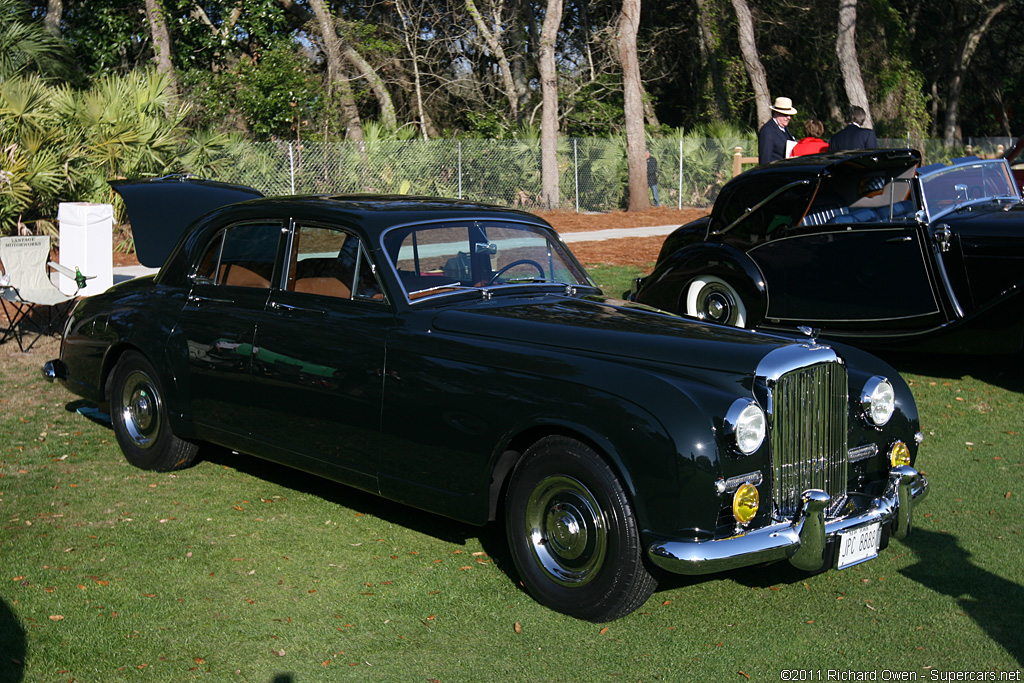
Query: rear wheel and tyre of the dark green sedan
<point x="140" y="418"/>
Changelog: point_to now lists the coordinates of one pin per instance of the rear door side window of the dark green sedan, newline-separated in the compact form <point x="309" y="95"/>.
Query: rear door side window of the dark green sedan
<point x="242" y="257"/>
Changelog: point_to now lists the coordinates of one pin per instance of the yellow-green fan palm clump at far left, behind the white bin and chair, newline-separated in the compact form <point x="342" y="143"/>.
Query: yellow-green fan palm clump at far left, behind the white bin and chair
<point x="58" y="144"/>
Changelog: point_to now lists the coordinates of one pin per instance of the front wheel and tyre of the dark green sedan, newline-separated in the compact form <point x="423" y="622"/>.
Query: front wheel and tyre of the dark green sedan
<point x="574" y="535"/>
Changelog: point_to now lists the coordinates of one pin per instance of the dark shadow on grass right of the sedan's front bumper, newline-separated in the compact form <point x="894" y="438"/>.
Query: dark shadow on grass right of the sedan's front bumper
<point x="995" y="604"/>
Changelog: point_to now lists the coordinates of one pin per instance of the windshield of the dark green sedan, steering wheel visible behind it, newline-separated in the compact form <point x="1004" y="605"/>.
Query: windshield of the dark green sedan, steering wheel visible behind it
<point x="445" y="259"/>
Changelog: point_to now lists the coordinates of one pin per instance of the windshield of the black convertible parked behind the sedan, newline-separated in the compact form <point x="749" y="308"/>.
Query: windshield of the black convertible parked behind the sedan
<point x="950" y="188"/>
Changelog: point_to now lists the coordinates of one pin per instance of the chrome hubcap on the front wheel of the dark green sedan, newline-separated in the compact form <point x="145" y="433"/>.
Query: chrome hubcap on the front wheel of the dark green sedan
<point x="567" y="531"/>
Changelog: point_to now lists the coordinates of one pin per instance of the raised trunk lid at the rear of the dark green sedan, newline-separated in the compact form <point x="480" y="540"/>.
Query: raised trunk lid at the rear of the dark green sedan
<point x="161" y="210"/>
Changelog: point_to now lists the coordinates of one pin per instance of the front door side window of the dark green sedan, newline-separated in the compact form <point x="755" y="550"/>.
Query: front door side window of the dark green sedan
<point x="331" y="263"/>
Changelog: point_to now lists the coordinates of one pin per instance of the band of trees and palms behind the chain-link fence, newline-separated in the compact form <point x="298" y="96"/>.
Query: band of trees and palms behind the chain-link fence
<point x="92" y="90"/>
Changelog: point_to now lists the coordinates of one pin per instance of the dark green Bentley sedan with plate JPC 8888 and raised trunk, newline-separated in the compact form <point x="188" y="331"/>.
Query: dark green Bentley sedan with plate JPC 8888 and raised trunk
<point x="456" y="358"/>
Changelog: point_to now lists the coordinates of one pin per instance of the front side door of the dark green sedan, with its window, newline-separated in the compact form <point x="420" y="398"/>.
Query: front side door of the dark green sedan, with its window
<point x="319" y="359"/>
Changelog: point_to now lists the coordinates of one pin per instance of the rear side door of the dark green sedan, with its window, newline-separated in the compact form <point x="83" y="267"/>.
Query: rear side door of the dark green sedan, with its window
<point x="230" y="291"/>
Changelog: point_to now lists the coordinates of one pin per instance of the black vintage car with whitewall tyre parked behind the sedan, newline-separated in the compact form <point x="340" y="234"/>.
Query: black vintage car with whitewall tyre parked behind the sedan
<point x="864" y="246"/>
